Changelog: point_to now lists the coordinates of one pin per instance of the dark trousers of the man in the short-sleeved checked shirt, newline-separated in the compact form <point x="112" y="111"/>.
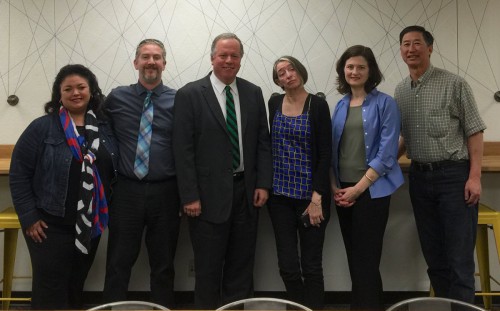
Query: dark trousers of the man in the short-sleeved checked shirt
<point x="447" y="229"/>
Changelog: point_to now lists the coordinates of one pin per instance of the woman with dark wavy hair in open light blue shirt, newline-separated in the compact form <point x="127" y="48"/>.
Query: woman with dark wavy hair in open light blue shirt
<point x="366" y="172"/>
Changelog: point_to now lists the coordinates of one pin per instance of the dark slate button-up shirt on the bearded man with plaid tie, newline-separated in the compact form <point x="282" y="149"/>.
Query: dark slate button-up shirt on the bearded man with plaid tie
<point x="124" y="105"/>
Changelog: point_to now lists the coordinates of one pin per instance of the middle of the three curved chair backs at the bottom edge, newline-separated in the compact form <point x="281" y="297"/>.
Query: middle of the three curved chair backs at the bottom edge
<point x="264" y="303"/>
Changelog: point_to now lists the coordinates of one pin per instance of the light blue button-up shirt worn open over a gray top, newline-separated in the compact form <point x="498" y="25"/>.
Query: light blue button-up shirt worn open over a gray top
<point x="381" y="125"/>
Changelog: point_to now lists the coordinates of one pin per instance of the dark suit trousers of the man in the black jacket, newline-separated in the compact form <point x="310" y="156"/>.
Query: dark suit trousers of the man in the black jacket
<point x="224" y="254"/>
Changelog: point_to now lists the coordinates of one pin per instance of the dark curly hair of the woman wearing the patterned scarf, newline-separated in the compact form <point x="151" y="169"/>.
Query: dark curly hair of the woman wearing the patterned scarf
<point x="96" y="96"/>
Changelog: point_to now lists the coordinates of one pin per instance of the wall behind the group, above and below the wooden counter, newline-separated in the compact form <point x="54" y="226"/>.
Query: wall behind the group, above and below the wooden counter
<point x="38" y="37"/>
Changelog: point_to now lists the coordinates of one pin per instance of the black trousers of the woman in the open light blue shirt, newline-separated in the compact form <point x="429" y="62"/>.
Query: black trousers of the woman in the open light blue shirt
<point x="363" y="226"/>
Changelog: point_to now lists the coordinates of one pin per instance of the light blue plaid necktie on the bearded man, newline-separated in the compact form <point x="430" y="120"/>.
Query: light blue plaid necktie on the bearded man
<point x="141" y="164"/>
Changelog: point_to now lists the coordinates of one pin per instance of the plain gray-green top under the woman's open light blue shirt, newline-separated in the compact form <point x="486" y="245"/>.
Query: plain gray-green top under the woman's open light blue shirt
<point x="352" y="156"/>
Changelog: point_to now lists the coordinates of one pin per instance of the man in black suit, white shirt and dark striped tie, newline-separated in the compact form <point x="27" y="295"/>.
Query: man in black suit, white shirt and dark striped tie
<point x="222" y="189"/>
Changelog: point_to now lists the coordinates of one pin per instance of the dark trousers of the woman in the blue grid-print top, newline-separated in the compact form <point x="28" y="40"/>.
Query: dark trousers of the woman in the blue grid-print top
<point x="301" y="269"/>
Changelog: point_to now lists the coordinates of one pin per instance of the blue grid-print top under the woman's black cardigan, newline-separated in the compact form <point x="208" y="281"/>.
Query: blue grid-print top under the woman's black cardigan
<point x="292" y="156"/>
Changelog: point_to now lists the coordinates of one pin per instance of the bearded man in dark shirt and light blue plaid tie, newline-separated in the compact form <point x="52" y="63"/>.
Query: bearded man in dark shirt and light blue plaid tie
<point x="145" y="195"/>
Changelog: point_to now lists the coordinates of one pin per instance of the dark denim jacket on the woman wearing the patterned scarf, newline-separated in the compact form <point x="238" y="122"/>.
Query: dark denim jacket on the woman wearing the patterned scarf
<point x="40" y="165"/>
